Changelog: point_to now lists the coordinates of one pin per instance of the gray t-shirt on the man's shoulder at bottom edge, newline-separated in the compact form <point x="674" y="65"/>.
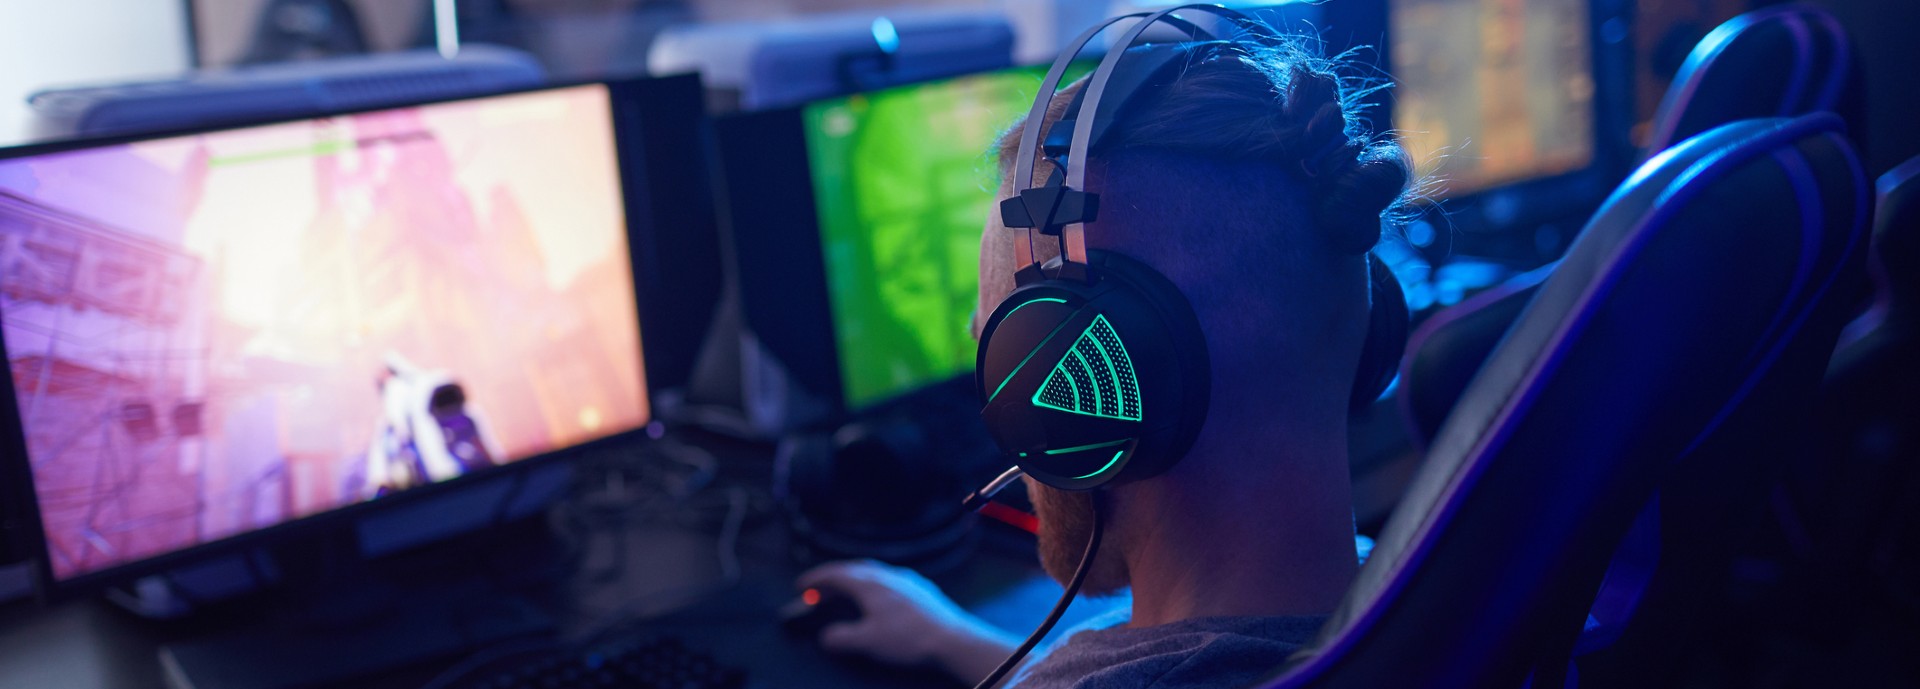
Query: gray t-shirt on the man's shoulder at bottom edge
<point x="1191" y="653"/>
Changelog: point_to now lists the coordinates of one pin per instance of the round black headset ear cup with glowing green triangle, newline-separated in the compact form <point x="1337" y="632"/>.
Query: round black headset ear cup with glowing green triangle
<point x="1130" y="341"/>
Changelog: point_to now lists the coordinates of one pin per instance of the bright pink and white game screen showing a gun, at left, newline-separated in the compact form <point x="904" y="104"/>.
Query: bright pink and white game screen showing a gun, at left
<point x="222" y="333"/>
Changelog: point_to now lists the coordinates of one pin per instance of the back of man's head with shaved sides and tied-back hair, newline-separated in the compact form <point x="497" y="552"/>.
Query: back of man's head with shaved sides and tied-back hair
<point x="1253" y="183"/>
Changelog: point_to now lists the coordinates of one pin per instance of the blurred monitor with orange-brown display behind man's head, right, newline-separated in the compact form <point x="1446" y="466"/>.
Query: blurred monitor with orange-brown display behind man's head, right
<point x="1516" y="116"/>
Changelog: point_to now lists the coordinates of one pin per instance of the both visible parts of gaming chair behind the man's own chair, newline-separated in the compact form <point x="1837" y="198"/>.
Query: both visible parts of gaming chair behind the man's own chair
<point x="1775" y="62"/>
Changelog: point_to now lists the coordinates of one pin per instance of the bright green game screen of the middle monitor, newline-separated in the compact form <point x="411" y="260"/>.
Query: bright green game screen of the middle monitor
<point x="903" y="181"/>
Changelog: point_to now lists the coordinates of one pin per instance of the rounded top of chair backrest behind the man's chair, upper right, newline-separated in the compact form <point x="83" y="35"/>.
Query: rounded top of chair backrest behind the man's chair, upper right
<point x="1773" y="62"/>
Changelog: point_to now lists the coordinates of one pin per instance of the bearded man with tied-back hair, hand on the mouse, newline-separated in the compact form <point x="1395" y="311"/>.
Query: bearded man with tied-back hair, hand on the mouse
<point x="1249" y="183"/>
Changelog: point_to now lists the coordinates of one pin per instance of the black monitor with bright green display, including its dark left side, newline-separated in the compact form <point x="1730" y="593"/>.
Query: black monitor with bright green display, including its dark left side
<point x="865" y="212"/>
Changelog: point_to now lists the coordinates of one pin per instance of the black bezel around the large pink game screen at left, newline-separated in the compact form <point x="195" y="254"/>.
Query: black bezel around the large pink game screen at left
<point x="16" y="467"/>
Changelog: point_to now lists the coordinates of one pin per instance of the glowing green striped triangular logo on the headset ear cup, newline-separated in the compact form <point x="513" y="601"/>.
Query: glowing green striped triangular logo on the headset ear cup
<point x="1093" y="379"/>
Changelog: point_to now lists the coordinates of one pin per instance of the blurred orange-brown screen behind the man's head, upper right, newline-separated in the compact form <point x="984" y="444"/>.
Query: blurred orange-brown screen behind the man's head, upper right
<point x="1493" y="91"/>
